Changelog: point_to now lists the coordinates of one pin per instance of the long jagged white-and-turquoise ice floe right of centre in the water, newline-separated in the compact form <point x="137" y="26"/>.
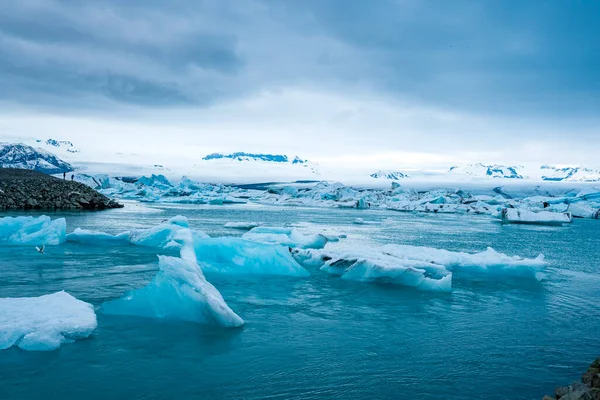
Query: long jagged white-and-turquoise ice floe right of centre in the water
<point x="423" y="268"/>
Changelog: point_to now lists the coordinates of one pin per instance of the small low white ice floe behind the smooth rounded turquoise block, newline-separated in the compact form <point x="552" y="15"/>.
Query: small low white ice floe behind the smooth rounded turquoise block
<point x="286" y="237"/>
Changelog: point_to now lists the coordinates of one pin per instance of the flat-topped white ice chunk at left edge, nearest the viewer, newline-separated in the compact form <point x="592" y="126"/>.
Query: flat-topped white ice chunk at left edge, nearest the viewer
<point x="45" y="322"/>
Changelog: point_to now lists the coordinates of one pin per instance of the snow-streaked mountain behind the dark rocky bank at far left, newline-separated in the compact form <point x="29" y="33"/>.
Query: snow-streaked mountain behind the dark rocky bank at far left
<point x="19" y="155"/>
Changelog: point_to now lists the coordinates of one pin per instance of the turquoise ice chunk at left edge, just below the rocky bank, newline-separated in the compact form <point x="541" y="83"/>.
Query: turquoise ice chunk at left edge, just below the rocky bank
<point x="32" y="231"/>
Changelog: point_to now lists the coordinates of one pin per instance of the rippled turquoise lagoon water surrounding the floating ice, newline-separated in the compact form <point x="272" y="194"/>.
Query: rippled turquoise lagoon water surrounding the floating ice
<point x="319" y="337"/>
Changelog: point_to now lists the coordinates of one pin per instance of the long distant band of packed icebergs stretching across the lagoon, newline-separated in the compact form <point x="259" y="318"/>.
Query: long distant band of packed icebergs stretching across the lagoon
<point x="158" y="188"/>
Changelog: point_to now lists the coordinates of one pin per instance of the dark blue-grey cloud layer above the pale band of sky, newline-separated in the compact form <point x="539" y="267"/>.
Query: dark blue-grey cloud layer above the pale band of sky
<point x="510" y="57"/>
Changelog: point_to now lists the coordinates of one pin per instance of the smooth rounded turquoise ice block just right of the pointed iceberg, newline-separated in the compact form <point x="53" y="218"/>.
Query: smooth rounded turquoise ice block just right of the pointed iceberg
<point x="240" y="256"/>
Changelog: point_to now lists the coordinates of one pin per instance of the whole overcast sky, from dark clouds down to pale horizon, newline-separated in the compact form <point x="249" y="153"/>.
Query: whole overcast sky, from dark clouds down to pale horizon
<point x="389" y="82"/>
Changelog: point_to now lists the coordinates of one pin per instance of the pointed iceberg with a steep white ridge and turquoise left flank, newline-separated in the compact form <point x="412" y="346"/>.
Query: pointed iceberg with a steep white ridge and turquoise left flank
<point x="179" y="291"/>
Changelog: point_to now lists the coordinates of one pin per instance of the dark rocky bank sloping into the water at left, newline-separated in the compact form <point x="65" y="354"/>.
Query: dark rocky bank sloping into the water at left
<point x="22" y="189"/>
